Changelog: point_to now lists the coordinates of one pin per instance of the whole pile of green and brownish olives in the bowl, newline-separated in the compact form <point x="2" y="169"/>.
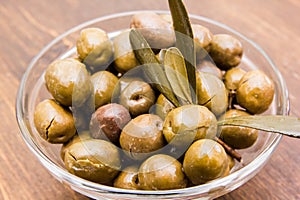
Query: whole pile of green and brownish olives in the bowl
<point x="118" y="130"/>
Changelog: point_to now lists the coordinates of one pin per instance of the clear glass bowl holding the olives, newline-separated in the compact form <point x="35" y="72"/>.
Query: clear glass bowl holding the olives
<point x="32" y="91"/>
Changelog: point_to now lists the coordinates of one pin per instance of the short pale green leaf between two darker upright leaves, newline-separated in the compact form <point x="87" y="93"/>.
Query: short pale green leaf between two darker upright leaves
<point x="177" y="75"/>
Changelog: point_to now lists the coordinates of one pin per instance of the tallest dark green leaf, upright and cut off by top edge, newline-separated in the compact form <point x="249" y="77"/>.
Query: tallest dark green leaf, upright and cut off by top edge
<point x="184" y="41"/>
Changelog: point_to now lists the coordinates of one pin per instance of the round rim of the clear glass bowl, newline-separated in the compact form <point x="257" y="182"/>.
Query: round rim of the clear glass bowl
<point x="58" y="172"/>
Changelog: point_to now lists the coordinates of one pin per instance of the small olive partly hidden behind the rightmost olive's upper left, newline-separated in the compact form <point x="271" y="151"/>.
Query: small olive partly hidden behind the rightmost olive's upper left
<point x="232" y="78"/>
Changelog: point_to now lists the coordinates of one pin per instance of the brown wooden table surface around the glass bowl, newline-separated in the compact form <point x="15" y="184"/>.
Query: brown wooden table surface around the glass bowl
<point x="27" y="26"/>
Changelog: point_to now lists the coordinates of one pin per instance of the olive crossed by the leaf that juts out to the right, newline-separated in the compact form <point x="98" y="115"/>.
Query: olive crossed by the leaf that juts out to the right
<point x="235" y="136"/>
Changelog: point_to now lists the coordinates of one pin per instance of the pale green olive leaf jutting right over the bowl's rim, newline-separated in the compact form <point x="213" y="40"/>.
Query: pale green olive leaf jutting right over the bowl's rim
<point x="285" y="125"/>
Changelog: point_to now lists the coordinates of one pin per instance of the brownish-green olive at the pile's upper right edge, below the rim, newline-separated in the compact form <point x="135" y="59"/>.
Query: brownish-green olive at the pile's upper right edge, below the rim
<point x="226" y="51"/>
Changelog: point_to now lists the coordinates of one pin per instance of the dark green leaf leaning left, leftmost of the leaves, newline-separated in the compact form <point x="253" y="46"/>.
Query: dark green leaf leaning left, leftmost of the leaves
<point x="153" y="69"/>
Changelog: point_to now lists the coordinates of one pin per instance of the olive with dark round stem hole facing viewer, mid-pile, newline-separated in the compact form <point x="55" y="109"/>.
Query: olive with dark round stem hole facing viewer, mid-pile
<point x="138" y="97"/>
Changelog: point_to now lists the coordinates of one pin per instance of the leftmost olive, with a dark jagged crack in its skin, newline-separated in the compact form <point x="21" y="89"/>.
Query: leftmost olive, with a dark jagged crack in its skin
<point x="54" y="123"/>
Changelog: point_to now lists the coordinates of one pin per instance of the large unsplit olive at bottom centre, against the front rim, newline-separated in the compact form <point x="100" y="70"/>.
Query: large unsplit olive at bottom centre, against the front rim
<point x="161" y="172"/>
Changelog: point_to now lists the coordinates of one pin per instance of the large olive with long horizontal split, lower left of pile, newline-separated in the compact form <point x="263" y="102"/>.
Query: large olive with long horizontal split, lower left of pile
<point x="94" y="160"/>
